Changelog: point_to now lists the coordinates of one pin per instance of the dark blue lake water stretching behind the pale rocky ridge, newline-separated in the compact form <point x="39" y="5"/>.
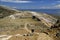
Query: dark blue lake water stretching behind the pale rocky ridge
<point x="48" y="11"/>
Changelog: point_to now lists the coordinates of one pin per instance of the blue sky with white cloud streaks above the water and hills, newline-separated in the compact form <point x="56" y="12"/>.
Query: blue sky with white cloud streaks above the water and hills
<point x="31" y="4"/>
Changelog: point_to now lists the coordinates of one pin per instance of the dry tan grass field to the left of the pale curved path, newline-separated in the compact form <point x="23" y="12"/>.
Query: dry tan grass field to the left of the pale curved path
<point x="12" y="26"/>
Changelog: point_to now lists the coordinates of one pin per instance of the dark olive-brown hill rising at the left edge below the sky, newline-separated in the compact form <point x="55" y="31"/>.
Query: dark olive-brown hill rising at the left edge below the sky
<point x="4" y="11"/>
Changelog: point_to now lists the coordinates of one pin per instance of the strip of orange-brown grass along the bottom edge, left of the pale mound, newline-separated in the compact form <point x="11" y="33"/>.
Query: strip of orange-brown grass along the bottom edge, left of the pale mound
<point x="34" y="37"/>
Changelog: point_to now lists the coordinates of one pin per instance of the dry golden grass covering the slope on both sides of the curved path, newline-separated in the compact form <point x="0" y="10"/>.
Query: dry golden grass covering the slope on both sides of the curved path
<point x="16" y="26"/>
